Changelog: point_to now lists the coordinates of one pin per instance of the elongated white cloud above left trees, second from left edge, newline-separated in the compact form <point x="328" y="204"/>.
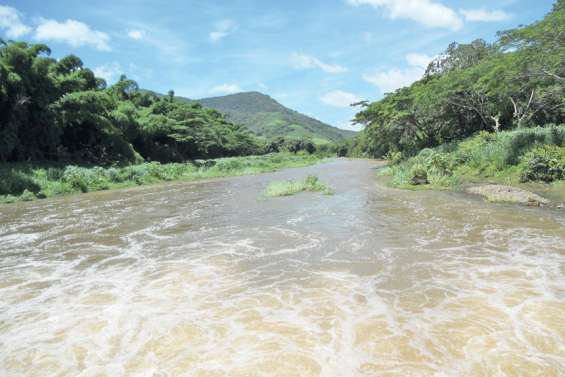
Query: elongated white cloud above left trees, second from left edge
<point x="75" y="33"/>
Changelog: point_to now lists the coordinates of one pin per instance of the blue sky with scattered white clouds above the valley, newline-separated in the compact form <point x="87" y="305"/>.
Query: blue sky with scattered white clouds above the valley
<point x="314" y="56"/>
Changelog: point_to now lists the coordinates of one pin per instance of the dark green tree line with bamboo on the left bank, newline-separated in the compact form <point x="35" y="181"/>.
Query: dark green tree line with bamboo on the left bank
<point x="59" y="110"/>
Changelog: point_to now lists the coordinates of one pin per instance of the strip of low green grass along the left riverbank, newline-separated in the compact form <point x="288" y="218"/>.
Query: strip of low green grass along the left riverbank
<point x="31" y="181"/>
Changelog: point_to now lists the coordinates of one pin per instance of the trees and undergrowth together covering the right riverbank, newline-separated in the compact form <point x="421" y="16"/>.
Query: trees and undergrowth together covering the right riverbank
<point x="514" y="84"/>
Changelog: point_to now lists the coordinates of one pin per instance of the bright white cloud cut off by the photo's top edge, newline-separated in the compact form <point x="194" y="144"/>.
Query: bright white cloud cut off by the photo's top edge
<point x="426" y="12"/>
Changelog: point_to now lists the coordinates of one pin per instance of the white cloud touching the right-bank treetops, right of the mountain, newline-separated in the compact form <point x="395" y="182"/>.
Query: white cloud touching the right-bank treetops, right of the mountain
<point x="388" y="81"/>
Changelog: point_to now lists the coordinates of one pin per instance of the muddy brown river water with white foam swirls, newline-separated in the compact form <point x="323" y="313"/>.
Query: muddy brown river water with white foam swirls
<point x="210" y="279"/>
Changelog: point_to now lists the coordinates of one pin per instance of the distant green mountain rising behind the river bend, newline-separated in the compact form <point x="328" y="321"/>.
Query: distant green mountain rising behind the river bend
<point x="267" y="118"/>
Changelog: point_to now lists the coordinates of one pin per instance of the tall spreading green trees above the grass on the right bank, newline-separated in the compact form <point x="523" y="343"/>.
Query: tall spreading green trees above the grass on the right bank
<point x="516" y="83"/>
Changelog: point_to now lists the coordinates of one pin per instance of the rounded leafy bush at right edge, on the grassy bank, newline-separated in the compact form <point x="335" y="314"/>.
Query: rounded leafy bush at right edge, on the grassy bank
<point x="546" y="164"/>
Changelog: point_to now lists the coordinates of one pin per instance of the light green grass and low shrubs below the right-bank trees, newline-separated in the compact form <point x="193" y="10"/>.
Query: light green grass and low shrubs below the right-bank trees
<point x="528" y="157"/>
